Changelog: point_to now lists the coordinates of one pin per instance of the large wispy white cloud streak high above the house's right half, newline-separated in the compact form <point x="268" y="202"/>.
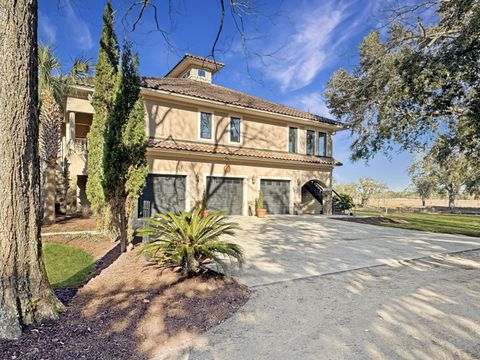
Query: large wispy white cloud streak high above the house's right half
<point x="310" y="40"/>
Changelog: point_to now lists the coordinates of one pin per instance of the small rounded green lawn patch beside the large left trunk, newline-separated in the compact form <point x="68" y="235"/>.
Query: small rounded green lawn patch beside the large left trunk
<point x="67" y="266"/>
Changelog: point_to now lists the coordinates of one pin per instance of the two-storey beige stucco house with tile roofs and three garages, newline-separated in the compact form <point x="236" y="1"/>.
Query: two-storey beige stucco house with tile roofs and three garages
<point x="207" y="139"/>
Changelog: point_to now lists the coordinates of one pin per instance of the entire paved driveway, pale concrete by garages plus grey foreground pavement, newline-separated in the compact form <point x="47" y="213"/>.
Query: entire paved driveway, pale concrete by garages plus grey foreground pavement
<point x="328" y="289"/>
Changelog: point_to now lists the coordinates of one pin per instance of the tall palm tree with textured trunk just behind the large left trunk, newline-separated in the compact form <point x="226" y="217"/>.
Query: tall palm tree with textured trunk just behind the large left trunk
<point x="53" y="88"/>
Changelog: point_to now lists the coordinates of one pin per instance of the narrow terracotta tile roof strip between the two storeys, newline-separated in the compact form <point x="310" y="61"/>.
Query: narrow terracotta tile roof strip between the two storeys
<point x="234" y="151"/>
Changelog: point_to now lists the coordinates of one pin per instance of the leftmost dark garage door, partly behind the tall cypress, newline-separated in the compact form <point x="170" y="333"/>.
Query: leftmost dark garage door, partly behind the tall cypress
<point x="162" y="193"/>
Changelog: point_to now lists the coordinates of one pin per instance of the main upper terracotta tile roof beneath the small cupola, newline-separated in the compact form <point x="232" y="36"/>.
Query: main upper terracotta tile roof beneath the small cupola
<point x="213" y="92"/>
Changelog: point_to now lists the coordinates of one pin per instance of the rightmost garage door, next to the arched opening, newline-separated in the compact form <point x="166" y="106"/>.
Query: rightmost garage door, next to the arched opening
<point x="276" y="196"/>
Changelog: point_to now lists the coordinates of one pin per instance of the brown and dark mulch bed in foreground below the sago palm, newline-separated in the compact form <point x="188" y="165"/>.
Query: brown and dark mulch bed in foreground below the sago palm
<point x="130" y="310"/>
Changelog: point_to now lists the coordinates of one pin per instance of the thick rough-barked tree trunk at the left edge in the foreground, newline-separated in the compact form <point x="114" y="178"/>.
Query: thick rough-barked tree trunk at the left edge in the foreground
<point x="25" y="295"/>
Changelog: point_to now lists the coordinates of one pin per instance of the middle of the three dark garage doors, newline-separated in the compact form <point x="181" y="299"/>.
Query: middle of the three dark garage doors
<point x="225" y="194"/>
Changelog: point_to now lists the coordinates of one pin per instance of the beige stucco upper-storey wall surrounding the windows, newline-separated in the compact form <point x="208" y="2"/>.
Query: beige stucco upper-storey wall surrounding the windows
<point x="181" y="122"/>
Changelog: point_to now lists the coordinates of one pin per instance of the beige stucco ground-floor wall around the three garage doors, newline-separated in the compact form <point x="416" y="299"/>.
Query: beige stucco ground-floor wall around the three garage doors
<point x="197" y="169"/>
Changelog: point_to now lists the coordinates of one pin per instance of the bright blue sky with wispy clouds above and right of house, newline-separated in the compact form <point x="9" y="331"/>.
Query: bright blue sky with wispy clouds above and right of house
<point x="294" y="47"/>
